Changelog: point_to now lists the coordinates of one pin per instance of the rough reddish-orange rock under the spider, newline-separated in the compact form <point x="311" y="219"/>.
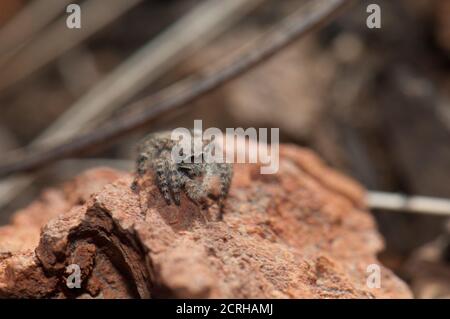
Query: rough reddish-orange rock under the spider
<point x="302" y="233"/>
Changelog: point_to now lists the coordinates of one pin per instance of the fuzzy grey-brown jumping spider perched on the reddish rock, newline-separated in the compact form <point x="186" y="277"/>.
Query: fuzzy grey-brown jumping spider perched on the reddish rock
<point x="198" y="180"/>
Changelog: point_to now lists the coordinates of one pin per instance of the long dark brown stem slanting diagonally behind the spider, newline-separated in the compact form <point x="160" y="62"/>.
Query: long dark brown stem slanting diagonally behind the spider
<point x="181" y="94"/>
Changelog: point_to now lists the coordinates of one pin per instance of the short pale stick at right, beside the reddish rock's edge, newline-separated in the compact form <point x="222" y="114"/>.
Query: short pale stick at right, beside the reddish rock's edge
<point x="409" y="204"/>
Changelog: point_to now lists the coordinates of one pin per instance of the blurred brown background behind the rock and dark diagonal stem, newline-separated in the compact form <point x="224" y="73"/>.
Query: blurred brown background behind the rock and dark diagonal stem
<point x="374" y="103"/>
